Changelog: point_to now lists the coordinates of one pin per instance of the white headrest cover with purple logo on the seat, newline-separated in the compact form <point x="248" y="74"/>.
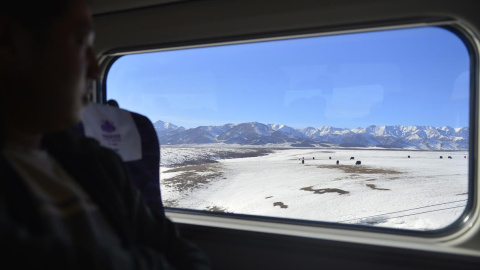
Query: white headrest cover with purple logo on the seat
<point x="113" y="128"/>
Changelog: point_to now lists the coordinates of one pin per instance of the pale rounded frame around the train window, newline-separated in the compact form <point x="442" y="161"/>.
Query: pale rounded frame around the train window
<point x="456" y="230"/>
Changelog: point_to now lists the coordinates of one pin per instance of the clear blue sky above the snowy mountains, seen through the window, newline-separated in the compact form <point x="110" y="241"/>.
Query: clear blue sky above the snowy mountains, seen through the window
<point x="417" y="76"/>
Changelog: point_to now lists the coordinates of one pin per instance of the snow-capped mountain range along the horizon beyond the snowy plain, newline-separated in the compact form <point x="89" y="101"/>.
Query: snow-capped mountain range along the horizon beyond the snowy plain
<point x="254" y="133"/>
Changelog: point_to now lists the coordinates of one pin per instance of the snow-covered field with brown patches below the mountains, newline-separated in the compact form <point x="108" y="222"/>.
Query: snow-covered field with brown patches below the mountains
<point x="388" y="189"/>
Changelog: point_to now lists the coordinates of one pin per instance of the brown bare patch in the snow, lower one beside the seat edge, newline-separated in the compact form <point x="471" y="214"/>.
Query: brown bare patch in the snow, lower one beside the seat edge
<point x="192" y="177"/>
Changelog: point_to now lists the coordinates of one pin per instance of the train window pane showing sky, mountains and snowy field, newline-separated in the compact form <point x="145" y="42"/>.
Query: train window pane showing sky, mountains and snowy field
<point x="368" y="128"/>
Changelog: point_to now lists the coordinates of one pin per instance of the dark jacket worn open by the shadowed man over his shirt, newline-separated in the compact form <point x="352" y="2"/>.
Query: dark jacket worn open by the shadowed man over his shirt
<point x="149" y="240"/>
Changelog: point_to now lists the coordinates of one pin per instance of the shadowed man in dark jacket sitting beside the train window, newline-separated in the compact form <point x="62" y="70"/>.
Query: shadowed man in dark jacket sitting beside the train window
<point x="65" y="201"/>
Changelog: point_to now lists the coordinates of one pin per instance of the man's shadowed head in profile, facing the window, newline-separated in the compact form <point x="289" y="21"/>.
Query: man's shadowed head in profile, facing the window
<point x="46" y="63"/>
